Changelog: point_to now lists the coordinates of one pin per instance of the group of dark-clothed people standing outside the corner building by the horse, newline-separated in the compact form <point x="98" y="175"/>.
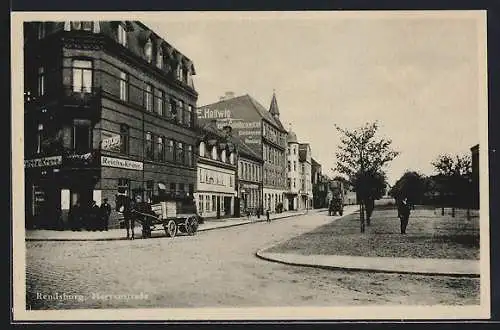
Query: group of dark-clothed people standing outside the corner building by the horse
<point x="89" y="217"/>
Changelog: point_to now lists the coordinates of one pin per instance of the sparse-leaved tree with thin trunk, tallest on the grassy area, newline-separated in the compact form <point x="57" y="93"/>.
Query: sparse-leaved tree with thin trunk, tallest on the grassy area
<point x="361" y="157"/>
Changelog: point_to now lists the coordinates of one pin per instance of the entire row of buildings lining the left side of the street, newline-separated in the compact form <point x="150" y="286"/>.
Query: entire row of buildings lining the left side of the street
<point x="111" y="105"/>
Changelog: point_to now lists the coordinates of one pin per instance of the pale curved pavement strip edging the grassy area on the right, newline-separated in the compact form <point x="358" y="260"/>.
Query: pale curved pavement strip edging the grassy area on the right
<point x="419" y="266"/>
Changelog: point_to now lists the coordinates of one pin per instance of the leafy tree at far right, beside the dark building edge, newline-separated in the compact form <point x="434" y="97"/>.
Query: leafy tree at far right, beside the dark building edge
<point x="455" y="172"/>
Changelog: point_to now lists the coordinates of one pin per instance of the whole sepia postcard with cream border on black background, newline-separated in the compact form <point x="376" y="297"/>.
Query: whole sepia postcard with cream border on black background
<point x="200" y="166"/>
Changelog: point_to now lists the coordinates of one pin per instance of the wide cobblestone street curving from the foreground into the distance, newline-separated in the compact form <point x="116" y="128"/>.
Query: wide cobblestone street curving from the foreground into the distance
<point x="216" y="269"/>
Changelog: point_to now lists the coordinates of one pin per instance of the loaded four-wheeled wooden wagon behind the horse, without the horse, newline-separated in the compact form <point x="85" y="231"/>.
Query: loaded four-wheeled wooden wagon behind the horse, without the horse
<point x="171" y="217"/>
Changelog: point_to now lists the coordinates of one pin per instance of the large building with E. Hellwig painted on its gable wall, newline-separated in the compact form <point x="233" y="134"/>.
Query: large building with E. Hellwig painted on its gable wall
<point x="262" y="131"/>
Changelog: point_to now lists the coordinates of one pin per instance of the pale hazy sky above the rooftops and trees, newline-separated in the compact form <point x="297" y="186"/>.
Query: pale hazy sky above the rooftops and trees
<point x="417" y="75"/>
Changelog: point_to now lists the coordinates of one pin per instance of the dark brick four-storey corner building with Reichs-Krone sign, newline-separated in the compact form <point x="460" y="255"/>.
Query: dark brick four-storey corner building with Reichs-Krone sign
<point x="108" y="104"/>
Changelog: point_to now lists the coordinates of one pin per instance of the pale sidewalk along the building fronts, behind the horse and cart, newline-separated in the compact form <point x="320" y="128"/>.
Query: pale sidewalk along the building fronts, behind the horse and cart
<point x="120" y="234"/>
